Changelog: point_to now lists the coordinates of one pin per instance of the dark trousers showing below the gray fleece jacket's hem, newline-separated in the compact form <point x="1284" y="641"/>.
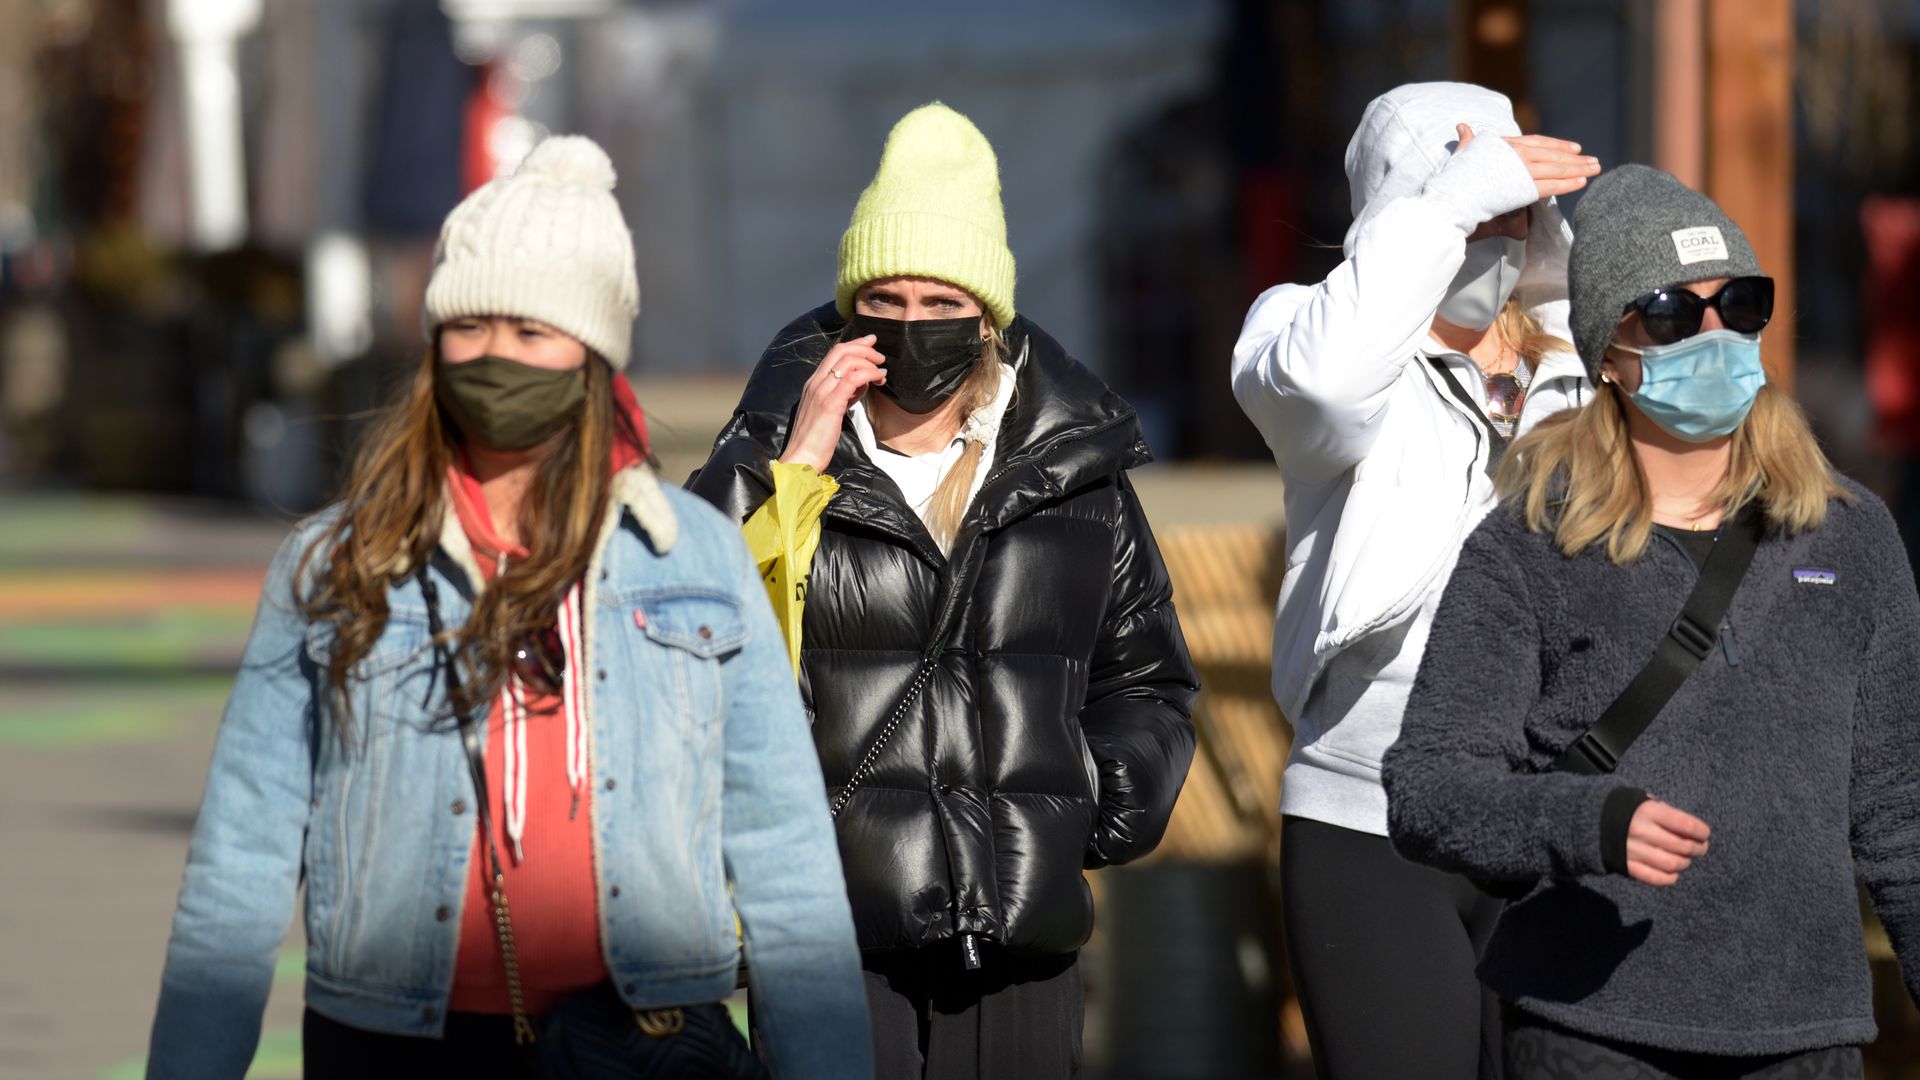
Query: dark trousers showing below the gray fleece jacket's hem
<point x="1539" y="1050"/>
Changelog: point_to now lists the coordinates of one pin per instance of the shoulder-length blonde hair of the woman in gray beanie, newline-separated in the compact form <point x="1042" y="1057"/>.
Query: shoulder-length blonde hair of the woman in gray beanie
<point x="1579" y="478"/>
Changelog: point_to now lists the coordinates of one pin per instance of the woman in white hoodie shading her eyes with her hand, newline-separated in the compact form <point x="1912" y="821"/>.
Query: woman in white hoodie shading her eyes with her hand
<point x="1387" y="395"/>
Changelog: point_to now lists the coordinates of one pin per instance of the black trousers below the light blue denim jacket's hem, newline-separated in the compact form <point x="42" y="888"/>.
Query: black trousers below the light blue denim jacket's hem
<point x="475" y="1046"/>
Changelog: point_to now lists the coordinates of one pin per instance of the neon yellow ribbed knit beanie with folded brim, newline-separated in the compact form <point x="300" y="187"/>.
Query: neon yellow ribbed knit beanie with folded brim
<point x="934" y="210"/>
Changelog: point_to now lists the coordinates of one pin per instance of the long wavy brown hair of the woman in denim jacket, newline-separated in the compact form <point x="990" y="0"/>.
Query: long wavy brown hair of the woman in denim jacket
<point x="395" y="506"/>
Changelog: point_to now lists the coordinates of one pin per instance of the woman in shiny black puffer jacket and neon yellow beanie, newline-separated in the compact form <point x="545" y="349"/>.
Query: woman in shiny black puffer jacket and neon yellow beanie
<point x="988" y="547"/>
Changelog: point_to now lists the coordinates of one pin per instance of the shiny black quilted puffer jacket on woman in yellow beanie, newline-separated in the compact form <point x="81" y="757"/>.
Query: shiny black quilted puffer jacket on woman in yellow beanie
<point x="1055" y="731"/>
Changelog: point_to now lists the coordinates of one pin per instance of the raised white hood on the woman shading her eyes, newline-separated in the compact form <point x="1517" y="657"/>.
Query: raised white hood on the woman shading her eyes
<point x="1406" y="135"/>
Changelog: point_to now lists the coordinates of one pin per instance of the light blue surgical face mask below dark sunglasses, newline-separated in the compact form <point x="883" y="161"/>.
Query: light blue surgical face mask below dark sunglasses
<point x="1700" y="389"/>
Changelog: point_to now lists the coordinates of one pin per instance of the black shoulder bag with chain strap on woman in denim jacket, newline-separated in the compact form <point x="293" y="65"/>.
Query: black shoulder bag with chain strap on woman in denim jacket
<point x="592" y="1035"/>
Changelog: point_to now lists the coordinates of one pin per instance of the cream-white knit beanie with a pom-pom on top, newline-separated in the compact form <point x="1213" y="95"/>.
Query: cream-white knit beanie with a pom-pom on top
<point x="546" y="243"/>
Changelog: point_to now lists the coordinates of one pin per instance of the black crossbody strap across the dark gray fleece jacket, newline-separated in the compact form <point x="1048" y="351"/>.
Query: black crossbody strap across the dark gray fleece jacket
<point x="1687" y="643"/>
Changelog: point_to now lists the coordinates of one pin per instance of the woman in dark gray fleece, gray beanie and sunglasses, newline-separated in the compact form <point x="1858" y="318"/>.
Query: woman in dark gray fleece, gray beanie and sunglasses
<point x="1692" y="912"/>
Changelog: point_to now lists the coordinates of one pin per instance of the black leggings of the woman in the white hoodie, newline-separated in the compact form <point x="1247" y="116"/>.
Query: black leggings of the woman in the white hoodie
<point x="1383" y="956"/>
